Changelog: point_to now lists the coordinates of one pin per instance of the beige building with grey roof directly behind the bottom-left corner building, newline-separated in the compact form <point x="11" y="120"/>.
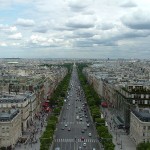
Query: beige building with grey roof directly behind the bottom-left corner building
<point x="26" y="103"/>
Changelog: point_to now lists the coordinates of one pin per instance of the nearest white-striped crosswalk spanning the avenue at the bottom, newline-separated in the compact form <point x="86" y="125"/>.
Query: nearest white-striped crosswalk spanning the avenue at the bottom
<point x="77" y="140"/>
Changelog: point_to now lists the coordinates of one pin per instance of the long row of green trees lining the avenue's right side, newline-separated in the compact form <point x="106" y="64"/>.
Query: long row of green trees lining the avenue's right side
<point x="94" y="102"/>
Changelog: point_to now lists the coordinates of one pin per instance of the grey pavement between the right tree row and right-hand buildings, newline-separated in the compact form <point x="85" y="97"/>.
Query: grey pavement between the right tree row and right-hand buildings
<point x="120" y="138"/>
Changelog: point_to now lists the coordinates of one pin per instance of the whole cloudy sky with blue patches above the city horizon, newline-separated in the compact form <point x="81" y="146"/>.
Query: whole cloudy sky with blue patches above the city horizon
<point x="75" y="28"/>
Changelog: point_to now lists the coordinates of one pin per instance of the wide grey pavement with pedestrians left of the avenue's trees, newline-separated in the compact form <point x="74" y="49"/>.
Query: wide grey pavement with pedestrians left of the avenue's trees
<point x="33" y="134"/>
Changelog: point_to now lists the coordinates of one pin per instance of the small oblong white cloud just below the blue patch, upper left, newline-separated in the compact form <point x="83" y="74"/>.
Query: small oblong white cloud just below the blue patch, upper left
<point x="25" y="22"/>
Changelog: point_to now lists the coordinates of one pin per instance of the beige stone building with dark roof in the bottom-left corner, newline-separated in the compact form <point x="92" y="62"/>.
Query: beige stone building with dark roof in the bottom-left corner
<point x="10" y="127"/>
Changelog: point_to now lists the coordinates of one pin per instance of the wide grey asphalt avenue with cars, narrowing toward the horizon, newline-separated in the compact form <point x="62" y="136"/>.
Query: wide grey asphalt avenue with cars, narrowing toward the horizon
<point x="74" y="106"/>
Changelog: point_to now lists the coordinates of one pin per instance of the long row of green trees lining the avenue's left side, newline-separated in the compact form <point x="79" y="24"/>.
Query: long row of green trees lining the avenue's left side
<point x="56" y="100"/>
